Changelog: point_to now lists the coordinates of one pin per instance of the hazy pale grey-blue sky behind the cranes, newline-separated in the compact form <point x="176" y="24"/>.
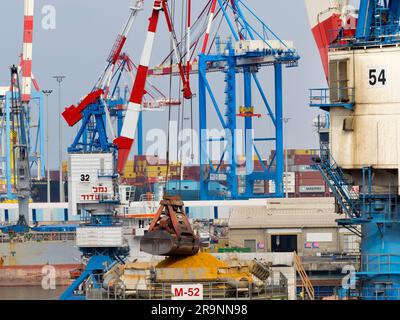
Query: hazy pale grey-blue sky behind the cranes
<point x="86" y="29"/>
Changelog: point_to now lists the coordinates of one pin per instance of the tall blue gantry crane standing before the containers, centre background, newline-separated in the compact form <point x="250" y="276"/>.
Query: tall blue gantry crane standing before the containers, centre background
<point x="248" y="64"/>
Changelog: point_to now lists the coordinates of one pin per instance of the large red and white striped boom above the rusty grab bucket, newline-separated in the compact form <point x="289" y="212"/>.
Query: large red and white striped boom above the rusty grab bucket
<point x="125" y="141"/>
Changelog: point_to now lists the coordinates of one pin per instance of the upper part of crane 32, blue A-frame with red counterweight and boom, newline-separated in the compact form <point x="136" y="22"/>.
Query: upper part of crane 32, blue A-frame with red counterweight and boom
<point x="105" y="99"/>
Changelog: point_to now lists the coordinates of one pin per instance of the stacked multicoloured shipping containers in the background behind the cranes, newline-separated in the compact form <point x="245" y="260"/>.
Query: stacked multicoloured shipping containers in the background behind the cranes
<point x="146" y="171"/>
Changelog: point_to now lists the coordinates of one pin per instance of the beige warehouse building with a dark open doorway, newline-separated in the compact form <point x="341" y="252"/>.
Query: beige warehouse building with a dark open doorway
<point x="305" y="225"/>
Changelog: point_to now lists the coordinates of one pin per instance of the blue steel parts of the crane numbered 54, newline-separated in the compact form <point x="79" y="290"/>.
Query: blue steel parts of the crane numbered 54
<point x="377" y="214"/>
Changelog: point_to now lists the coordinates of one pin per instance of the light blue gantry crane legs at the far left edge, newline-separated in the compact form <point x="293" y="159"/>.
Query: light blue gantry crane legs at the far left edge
<point x="36" y="139"/>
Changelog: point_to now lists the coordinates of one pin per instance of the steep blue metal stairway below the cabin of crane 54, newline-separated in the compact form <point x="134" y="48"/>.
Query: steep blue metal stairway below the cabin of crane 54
<point x="340" y="186"/>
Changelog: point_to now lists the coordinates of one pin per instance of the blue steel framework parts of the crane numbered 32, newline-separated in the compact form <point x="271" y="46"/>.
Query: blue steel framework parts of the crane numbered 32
<point x="92" y="136"/>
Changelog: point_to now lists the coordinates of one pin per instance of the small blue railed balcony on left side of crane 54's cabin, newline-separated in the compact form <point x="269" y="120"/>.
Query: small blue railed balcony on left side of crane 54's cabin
<point x="325" y="97"/>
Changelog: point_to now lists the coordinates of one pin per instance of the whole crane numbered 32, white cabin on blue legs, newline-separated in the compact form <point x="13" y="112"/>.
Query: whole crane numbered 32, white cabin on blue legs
<point x="98" y="206"/>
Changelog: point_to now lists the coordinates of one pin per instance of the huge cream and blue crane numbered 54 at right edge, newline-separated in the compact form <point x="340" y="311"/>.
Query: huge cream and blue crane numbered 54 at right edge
<point x="362" y="90"/>
